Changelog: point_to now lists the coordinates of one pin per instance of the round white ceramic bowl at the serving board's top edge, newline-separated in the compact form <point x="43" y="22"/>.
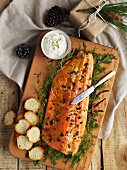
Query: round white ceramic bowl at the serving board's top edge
<point x="47" y="46"/>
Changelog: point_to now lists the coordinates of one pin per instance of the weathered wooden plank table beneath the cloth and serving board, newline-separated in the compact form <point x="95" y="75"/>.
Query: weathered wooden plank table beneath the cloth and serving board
<point x="109" y="155"/>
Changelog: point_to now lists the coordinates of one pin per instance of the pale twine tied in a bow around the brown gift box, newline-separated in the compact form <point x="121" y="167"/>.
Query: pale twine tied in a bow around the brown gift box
<point x="92" y="17"/>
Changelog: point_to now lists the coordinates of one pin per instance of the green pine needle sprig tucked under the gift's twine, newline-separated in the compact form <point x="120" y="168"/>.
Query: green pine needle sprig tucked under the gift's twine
<point x="114" y="14"/>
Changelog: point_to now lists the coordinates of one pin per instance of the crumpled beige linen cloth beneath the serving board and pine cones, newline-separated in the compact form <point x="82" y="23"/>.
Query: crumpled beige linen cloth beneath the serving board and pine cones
<point x="22" y="22"/>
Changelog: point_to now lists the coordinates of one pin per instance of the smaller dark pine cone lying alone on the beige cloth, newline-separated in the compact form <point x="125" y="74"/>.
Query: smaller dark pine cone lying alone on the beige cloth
<point x="23" y="51"/>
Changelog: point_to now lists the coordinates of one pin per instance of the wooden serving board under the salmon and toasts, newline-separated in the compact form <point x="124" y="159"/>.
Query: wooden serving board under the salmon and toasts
<point x="40" y="64"/>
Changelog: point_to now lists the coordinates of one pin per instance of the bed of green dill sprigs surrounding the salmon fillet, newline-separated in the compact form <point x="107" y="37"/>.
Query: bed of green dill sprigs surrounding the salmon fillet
<point x="43" y="93"/>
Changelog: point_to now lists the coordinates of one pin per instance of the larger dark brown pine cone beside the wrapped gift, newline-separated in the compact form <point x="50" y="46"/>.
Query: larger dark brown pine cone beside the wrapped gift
<point x="55" y="16"/>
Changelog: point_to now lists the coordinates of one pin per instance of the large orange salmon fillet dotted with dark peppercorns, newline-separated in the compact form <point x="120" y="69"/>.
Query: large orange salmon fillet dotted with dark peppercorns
<point x="64" y="123"/>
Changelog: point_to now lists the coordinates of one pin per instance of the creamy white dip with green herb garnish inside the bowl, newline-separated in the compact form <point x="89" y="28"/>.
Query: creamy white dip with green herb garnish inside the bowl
<point x="55" y="45"/>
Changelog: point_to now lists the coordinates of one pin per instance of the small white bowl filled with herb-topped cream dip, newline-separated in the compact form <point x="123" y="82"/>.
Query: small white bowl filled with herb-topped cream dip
<point x="55" y="44"/>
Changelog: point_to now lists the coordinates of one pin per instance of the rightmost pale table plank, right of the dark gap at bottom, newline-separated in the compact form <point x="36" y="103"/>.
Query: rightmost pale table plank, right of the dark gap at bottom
<point x="115" y="147"/>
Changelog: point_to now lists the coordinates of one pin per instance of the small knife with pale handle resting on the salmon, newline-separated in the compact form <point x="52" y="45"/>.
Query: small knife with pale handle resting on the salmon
<point x="87" y="92"/>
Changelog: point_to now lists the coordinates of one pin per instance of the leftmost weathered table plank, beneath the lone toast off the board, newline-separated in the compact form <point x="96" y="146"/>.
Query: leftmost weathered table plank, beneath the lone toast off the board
<point x="8" y="100"/>
